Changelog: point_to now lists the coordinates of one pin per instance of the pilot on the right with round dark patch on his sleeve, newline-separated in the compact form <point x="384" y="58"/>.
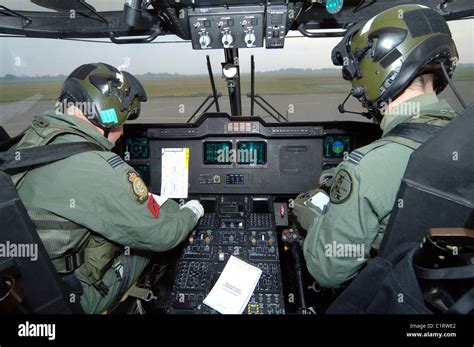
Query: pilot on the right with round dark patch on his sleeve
<point x="395" y="63"/>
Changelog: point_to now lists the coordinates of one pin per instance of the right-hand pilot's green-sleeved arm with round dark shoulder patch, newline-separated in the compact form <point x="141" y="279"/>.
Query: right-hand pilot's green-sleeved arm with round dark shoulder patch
<point x="340" y="238"/>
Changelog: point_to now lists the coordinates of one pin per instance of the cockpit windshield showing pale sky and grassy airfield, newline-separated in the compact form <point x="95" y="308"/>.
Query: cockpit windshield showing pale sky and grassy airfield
<point x="299" y="81"/>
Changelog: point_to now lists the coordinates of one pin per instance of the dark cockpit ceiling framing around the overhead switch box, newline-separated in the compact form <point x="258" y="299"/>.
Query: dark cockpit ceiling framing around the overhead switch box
<point x="107" y="18"/>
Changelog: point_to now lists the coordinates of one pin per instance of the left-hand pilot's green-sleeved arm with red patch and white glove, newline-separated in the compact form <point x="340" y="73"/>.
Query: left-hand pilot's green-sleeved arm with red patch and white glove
<point x="124" y="212"/>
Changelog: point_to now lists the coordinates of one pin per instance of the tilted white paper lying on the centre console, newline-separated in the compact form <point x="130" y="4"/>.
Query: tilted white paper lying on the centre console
<point x="234" y="287"/>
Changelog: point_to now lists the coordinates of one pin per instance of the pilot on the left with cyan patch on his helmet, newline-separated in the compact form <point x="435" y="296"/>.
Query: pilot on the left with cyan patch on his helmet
<point x="92" y="211"/>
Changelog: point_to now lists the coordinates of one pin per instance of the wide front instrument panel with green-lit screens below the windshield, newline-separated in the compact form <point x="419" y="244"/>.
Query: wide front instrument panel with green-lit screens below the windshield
<point x="245" y="155"/>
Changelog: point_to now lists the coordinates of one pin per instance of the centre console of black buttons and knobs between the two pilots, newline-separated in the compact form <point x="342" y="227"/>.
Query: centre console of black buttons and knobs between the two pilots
<point x="229" y="228"/>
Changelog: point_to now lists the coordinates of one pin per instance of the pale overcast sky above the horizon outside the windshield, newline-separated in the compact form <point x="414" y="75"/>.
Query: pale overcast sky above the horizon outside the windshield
<point x="36" y="57"/>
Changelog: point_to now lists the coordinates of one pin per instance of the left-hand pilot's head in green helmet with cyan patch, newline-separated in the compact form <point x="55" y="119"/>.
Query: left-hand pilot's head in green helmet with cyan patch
<point x="103" y="95"/>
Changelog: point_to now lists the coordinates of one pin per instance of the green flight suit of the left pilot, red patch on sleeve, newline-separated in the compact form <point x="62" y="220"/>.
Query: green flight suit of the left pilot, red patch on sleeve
<point x="91" y="206"/>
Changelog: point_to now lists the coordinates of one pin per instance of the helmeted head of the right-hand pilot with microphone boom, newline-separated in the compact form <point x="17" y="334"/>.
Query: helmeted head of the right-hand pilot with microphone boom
<point x="397" y="50"/>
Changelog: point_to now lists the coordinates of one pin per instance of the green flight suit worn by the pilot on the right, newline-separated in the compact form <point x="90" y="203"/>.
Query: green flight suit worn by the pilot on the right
<point x="362" y="195"/>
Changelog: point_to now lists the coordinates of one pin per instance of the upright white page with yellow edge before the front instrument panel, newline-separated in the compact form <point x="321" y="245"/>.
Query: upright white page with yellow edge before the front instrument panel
<point x="174" y="172"/>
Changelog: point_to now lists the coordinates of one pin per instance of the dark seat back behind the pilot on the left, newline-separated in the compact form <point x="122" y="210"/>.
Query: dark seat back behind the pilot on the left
<point x="26" y="259"/>
